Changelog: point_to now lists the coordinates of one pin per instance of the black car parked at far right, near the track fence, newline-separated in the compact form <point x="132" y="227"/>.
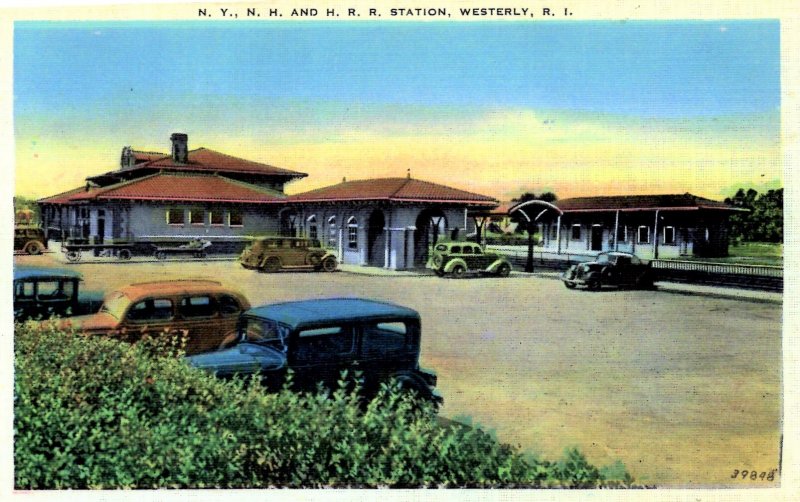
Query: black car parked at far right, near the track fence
<point x="610" y="269"/>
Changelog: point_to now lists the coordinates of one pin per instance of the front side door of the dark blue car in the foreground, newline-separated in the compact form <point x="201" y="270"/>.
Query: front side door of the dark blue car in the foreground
<point x="321" y="353"/>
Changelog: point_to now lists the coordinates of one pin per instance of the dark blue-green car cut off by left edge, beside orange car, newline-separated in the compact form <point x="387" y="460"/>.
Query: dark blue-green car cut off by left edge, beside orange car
<point x="45" y="291"/>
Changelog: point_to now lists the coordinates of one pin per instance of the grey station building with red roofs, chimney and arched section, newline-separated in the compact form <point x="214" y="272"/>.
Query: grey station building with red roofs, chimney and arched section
<point x="203" y="194"/>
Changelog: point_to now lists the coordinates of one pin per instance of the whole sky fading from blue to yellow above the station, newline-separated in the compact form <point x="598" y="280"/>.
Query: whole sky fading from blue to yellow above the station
<point x="498" y="108"/>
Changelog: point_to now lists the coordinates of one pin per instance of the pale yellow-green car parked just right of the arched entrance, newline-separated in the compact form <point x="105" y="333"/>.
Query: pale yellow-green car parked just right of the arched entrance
<point x="458" y="258"/>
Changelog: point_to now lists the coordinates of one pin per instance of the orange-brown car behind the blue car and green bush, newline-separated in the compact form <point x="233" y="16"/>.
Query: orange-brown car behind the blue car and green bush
<point x="204" y="310"/>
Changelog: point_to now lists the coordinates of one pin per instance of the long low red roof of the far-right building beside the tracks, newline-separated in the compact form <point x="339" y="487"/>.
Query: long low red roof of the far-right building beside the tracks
<point x="684" y="202"/>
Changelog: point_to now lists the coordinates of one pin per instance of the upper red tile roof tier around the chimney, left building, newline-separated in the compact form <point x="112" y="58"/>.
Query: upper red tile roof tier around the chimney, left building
<point x="205" y="160"/>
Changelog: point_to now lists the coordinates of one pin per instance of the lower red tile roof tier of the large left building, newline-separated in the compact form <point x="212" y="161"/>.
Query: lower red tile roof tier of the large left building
<point x="177" y="187"/>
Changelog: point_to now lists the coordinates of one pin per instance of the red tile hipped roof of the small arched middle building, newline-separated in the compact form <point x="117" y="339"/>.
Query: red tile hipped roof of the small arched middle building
<point x="393" y="189"/>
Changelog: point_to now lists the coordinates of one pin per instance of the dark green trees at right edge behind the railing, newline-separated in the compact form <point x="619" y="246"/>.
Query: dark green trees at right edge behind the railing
<point x="764" y="220"/>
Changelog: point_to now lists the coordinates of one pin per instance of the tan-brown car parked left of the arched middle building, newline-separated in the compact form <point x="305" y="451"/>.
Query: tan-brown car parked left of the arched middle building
<point x="271" y="254"/>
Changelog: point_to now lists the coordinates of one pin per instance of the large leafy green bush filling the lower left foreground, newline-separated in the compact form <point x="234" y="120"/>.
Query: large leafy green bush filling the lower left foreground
<point x="92" y="412"/>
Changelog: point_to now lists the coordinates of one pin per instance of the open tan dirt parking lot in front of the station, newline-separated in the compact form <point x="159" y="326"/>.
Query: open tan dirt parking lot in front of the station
<point x="684" y="390"/>
